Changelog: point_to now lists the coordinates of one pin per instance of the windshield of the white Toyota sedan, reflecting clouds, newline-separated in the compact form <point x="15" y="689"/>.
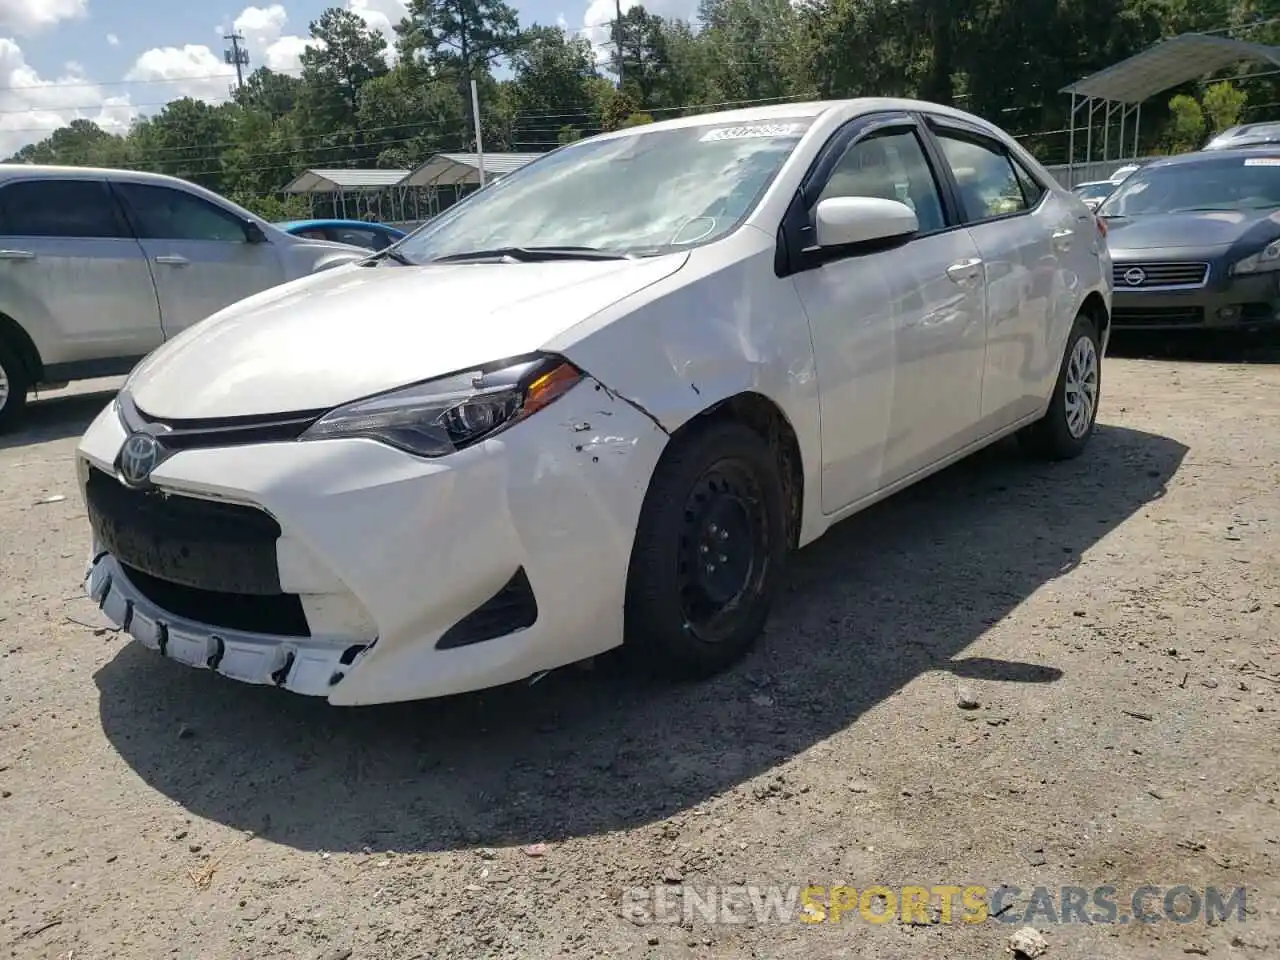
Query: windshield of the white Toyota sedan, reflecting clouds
<point x="639" y="195"/>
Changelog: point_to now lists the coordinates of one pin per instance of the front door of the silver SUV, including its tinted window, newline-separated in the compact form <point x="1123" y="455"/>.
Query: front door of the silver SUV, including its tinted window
<point x="202" y="255"/>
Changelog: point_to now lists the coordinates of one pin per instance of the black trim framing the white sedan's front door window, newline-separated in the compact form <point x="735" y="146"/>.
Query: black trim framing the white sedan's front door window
<point x="794" y="254"/>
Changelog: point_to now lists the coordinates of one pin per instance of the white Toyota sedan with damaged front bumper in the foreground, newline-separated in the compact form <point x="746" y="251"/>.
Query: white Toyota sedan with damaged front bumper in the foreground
<point x="596" y="404"/>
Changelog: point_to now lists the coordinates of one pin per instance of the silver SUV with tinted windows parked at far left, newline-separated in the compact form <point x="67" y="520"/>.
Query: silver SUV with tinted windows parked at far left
<point x="98" y="268"/>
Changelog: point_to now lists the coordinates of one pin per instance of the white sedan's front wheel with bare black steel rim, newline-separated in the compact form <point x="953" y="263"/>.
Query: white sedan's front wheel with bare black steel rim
<point x="708" y="555"/>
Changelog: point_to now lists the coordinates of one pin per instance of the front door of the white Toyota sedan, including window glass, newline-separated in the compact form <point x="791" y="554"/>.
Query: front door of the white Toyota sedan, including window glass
<point x="899" y="336"/>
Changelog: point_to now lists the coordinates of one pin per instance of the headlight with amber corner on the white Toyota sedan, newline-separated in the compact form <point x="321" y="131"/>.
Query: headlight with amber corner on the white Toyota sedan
<point x="442" y="417"/>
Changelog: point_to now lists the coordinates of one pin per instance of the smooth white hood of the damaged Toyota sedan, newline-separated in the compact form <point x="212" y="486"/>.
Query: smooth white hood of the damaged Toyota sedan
<point x="354" y="331"/>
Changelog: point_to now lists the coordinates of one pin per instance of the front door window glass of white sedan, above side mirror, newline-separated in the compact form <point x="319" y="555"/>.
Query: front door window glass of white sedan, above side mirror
<point x="890" y="167"/>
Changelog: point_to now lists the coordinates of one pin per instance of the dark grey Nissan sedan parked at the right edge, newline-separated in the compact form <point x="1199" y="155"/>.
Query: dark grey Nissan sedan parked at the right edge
<point x="1196" y="243"/>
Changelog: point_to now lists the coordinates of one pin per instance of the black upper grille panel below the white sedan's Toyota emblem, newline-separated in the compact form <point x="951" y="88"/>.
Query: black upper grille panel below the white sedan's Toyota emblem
<point x="209" y="546"/>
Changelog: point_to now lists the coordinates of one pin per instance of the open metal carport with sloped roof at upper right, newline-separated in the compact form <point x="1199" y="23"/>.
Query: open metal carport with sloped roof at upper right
<point x="1124" y="86"/>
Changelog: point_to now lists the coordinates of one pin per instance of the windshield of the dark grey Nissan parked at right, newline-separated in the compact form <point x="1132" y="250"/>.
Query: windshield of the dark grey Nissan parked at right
<point x="1231" y="184"/>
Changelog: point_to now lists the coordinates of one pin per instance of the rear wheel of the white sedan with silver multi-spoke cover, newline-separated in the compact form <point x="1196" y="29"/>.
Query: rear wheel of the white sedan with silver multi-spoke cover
<point x="1067" y="427"/>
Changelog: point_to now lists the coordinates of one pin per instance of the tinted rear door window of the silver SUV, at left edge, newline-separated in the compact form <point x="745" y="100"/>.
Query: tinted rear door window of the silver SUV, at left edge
<point x="60" y="209"/>
